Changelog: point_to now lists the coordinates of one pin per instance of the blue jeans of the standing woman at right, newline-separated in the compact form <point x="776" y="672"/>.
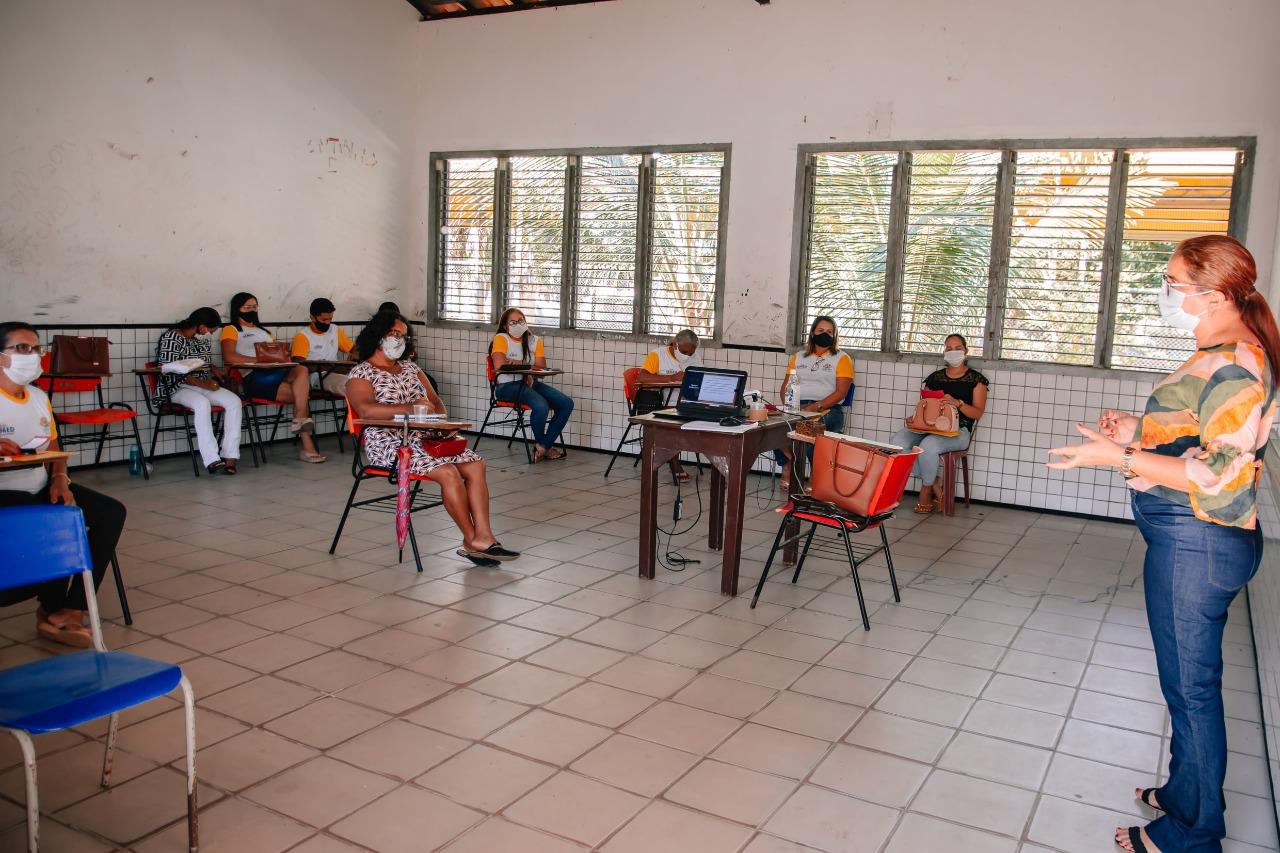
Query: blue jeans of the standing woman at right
<point x="1192" y="573"/>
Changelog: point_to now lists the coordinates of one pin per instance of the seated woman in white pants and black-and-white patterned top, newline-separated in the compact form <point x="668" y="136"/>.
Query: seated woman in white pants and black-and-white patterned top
<point x="200" y="390"/>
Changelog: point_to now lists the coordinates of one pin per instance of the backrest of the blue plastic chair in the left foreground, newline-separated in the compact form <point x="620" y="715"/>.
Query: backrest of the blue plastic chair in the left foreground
<point x="42" y="544"/>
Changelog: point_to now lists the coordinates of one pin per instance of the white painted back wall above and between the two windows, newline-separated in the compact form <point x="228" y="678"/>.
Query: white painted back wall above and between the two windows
<point x="767" y="79"/>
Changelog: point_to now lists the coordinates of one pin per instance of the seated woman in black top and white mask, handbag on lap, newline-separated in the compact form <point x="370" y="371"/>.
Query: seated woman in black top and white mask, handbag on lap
<point x="964" y="389"/>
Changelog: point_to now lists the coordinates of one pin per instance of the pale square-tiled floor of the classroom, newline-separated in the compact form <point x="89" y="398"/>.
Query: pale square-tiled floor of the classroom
<point x="561" y="704"/>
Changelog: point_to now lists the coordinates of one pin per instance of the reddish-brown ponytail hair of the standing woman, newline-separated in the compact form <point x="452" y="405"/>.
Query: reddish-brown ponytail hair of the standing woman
<point x="1224" y="264"/>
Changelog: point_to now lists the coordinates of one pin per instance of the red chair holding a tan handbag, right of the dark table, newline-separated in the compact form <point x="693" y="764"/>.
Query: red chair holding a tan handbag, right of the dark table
<point x="888" y="496"/>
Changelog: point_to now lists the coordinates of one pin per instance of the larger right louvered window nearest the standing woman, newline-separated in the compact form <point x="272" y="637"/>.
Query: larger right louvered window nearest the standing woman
<point x="1036" y="252"/>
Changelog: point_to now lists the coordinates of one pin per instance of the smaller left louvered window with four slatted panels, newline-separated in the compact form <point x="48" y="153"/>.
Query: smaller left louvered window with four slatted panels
<point x="625" y="243"/>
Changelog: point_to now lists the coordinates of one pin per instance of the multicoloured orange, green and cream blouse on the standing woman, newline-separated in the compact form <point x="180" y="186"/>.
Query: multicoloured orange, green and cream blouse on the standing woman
<point x="1217" y="413"/>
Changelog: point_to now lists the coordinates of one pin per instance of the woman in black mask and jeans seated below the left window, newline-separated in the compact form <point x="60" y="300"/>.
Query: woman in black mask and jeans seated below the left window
<point x="516" y="345"/>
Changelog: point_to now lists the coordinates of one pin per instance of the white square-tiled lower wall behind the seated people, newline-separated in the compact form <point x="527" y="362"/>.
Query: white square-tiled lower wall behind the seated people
<point x="1030" y="412"/>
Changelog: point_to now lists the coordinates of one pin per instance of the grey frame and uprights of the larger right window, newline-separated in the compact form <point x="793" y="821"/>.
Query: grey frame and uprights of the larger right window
<point x="998" y="282"/>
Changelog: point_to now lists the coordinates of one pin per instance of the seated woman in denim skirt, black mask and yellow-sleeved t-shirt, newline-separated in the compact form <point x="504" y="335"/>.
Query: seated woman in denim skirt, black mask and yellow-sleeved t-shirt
<point x="287" y="385"/>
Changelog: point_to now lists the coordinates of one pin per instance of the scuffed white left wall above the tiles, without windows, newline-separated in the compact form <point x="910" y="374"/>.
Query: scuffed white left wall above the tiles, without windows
<point x="158" y="156"/>
